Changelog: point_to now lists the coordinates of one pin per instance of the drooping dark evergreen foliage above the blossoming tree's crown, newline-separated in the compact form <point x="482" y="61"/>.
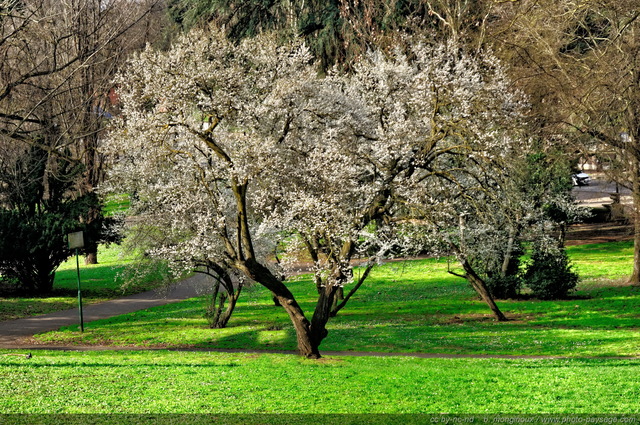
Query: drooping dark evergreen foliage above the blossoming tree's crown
<point x="336" y="32"/>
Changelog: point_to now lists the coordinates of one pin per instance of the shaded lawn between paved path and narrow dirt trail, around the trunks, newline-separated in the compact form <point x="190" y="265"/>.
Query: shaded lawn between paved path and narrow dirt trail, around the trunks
<point x="409" y="307"/>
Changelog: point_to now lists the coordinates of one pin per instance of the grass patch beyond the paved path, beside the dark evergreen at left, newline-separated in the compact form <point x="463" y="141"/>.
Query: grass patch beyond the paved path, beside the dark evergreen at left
<point x="99" y="282"/>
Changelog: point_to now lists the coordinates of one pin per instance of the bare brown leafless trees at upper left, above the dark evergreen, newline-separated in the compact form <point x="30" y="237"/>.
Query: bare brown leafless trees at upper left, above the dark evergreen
<point x="58" y="62"/>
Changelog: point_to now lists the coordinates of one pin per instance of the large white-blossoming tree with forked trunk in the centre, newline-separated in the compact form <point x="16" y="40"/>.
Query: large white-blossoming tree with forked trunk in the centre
<point x="226" y="147"/>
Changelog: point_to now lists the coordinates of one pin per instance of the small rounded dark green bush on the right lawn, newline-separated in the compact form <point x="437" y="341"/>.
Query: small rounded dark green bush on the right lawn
<point x="550" y="275"/>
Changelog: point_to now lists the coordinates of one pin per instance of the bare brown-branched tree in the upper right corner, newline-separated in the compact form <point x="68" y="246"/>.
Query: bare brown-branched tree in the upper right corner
<point x="580" y="62"/>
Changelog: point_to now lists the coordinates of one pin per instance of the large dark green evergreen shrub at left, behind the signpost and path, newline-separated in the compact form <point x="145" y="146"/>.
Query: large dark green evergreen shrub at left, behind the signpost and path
<point x="40" y="208"/>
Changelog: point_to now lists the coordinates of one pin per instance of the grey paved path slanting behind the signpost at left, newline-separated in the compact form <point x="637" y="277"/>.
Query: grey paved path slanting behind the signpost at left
<point x="12" y="332"/>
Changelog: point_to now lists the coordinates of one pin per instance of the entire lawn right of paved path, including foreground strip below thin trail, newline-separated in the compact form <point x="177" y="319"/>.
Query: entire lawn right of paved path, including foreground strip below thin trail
<point x="405" y="307"/>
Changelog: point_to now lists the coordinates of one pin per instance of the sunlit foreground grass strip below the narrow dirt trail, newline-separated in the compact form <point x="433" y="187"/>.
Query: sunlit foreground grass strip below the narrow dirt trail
<point x="195" y="382"/>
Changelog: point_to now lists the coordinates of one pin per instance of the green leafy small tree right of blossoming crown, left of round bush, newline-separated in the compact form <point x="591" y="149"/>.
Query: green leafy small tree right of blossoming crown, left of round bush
<point x="535" y="204"/>
